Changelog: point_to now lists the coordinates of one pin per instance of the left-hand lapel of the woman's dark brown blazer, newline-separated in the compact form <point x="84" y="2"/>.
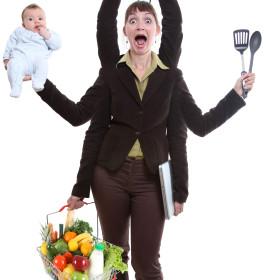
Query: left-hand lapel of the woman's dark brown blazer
<point x="127" y="78"/>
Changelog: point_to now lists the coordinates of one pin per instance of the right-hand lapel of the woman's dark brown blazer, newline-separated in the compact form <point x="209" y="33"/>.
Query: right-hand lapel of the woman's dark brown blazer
<point x="155" y="80"/>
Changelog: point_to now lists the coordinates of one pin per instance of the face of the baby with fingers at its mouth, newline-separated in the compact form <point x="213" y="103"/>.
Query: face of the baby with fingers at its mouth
<point x="34" y="19"/>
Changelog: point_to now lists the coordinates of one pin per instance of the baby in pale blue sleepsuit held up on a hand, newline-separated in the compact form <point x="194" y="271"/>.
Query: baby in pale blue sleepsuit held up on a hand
<point x="28" y="49"/>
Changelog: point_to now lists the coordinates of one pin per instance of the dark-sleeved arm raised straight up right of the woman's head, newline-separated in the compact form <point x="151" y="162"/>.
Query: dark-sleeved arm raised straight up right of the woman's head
<point x="172" y="36"/>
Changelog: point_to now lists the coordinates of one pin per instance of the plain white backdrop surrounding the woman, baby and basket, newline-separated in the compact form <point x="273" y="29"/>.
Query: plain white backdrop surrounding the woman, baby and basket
<point x="230" y="226"/>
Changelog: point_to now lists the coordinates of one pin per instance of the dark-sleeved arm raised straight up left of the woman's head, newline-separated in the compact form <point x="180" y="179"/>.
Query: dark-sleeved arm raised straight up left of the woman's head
<point x="107" y="33"/>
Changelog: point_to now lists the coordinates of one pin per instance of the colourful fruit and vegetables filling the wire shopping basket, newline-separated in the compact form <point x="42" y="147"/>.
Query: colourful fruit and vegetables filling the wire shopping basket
<point x="70" y="252"/>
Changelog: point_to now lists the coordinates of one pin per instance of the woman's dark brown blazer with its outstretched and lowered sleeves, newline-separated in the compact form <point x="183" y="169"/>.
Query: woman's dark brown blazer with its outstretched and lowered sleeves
<point x="167" y="103"/>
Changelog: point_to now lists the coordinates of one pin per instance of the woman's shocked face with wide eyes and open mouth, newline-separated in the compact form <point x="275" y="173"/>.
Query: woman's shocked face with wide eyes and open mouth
<point x="141" y="29"/>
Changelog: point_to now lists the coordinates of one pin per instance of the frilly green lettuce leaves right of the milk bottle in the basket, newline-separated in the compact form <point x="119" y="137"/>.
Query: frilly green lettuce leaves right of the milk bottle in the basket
<point x="113" y="259"/>
